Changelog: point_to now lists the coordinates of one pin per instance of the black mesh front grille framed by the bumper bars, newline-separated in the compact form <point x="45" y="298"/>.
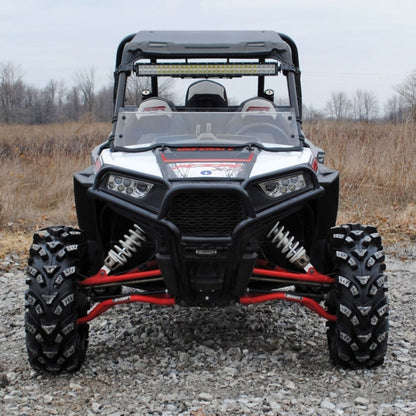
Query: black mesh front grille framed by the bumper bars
<point x="206" y="214"/>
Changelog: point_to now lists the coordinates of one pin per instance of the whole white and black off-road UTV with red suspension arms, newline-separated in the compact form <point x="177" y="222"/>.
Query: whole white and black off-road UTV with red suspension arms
<point x="215" y="199"/>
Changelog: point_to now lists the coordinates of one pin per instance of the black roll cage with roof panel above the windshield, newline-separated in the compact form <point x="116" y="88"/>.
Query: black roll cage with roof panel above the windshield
<point x="255" y="45"/>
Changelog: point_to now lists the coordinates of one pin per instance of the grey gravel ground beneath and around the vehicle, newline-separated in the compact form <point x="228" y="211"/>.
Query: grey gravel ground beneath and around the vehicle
<point x="268" y="359"/>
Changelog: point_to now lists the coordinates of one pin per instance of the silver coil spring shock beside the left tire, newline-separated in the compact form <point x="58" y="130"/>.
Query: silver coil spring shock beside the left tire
<point x="120" y="255"/>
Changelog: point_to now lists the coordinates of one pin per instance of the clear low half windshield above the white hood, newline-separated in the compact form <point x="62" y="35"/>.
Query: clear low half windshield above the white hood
<point x="274" y="130"/>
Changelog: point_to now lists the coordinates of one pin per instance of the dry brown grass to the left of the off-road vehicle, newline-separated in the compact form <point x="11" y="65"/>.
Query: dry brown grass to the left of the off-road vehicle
<point x="36" y="168"/>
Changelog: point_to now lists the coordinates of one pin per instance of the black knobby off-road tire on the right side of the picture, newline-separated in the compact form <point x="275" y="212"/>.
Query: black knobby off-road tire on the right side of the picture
<point x="358" y="339"/>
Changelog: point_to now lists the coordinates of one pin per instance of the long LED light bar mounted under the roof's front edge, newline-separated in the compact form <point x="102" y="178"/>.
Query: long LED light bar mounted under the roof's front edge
<point x="206" y="69"/>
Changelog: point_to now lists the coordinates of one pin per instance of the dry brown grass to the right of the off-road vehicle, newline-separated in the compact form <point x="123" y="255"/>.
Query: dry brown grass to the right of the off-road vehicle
<point x="378" y="173"/>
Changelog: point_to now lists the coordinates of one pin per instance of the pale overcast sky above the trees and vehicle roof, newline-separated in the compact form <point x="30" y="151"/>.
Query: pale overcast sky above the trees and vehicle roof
<point x="344" y="45"/>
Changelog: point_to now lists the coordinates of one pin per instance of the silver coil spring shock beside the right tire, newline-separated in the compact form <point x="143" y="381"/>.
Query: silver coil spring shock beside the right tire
<point x="292" y="249"/>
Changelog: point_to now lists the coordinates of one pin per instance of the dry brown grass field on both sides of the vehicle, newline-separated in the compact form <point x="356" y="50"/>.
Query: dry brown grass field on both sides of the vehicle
<point x="376" y="161"/>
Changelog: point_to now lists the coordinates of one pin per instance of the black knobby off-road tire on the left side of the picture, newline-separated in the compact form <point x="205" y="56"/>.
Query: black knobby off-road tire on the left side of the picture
<point x="54" y="341"/>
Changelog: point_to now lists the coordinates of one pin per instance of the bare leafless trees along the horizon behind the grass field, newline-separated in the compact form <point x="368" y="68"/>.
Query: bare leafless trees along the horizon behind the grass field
<point x="25" y="104"/>
